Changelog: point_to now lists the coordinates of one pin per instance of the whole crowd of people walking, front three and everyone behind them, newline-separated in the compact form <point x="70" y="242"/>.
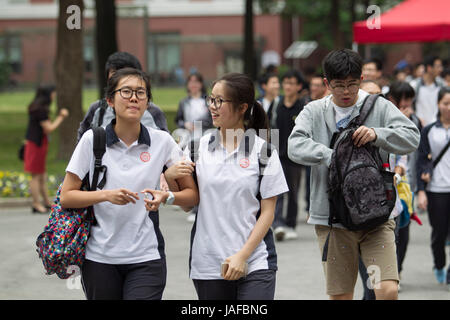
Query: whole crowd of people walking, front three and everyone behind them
<point x="241" y="188"/>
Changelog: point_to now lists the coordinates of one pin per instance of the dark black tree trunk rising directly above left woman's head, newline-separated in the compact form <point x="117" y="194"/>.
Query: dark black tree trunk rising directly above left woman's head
<point x="105" y="38"/>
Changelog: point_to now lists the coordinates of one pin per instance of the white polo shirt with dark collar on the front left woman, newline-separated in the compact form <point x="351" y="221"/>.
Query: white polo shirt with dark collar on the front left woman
<point x="126" y="234"/>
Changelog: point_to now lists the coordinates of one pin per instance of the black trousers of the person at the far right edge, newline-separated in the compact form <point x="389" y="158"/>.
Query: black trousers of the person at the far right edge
<point x="439" y="216"/>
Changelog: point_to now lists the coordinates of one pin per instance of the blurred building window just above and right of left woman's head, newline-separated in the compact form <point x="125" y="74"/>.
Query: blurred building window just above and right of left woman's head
<point x="164" y="56"/>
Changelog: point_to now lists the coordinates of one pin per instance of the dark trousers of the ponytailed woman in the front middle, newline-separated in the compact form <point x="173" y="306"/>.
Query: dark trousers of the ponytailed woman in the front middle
<point x="258" y="285"/>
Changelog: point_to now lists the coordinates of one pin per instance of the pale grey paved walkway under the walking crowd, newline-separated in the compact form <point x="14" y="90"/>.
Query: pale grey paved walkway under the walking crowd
<point x="300" y="273"/>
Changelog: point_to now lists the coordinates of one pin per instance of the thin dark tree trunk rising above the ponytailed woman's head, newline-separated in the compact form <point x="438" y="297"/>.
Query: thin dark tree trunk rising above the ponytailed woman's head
<point x="249" y="48"/>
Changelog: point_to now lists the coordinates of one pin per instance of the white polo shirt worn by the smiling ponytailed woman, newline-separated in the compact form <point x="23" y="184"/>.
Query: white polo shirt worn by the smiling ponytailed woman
<point x="228" y="186"/>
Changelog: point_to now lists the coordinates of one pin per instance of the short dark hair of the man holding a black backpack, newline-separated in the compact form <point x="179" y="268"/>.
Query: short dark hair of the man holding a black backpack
<point x="340" y="64"/>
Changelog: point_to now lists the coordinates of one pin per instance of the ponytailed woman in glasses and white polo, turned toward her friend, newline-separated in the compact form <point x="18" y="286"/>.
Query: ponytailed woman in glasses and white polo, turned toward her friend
<point x="232" y="235"/>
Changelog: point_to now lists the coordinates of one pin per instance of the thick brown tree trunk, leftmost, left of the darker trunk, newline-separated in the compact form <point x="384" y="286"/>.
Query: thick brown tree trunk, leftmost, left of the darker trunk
<point x="69" y="68"/>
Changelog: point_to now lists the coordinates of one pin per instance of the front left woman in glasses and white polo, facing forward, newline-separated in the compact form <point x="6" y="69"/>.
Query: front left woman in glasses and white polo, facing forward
<point x="125" y="251"/>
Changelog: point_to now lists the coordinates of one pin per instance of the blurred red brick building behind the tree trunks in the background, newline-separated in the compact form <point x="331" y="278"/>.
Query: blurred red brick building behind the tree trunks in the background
<point x="170" y="37"/>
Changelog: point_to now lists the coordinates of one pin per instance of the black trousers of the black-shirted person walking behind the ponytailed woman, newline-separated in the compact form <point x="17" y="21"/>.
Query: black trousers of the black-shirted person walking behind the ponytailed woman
<point x="293" y="174"/>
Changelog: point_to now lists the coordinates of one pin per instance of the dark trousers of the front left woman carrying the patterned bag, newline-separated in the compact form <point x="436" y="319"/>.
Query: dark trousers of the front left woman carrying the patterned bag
<point x="140" y="281"/>
